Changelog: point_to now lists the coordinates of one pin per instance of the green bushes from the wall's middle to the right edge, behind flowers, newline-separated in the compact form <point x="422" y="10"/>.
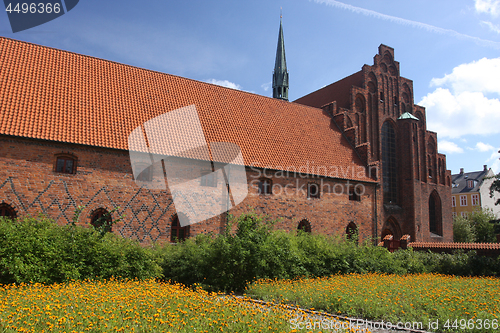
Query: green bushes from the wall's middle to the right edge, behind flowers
<point x="229" y="261"/>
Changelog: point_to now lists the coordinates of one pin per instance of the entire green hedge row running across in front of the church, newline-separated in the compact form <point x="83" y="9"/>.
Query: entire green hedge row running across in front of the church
<point x="38" y="250"/>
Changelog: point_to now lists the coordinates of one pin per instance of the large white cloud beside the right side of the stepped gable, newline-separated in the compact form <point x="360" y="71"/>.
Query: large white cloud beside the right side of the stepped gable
<point x="462" y="103"/>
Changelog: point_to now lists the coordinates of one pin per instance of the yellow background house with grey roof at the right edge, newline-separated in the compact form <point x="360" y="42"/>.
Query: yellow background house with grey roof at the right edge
<point x="471" y="191"/>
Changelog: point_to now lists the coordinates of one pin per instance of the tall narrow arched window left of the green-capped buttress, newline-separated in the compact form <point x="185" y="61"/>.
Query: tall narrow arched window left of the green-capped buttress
<point x="389" y="170"/>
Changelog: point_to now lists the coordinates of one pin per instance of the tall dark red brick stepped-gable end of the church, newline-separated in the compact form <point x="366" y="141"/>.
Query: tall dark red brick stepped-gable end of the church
<point x="385" y="95"/>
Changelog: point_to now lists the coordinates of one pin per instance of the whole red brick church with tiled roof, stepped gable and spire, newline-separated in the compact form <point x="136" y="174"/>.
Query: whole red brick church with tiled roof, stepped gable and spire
<point x="354" y="156"/>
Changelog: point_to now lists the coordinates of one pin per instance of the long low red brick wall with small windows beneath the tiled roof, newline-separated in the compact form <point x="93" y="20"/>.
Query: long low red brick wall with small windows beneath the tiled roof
<point x="104" y="179"/>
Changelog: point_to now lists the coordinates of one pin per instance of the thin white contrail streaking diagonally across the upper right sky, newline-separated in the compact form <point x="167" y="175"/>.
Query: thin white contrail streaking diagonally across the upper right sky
<point x="414" y="24"/>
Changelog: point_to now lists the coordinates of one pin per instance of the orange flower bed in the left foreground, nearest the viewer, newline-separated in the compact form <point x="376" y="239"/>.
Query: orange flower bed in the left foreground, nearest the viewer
<point x="133" y="306"/>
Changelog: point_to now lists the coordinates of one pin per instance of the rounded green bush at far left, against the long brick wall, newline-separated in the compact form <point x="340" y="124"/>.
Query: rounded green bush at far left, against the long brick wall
<point x="38" y="250"/>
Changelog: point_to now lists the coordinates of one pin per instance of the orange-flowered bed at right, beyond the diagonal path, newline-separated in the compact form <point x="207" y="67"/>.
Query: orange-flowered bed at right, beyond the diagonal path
<point x="424" y="298"/>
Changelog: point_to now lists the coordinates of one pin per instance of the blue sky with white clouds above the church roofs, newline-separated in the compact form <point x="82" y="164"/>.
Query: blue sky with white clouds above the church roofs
<point x="450" y="49"/>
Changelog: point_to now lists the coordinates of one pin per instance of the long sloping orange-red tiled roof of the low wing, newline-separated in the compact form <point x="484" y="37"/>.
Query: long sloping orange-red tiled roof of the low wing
<point x="57" y="95"/>
